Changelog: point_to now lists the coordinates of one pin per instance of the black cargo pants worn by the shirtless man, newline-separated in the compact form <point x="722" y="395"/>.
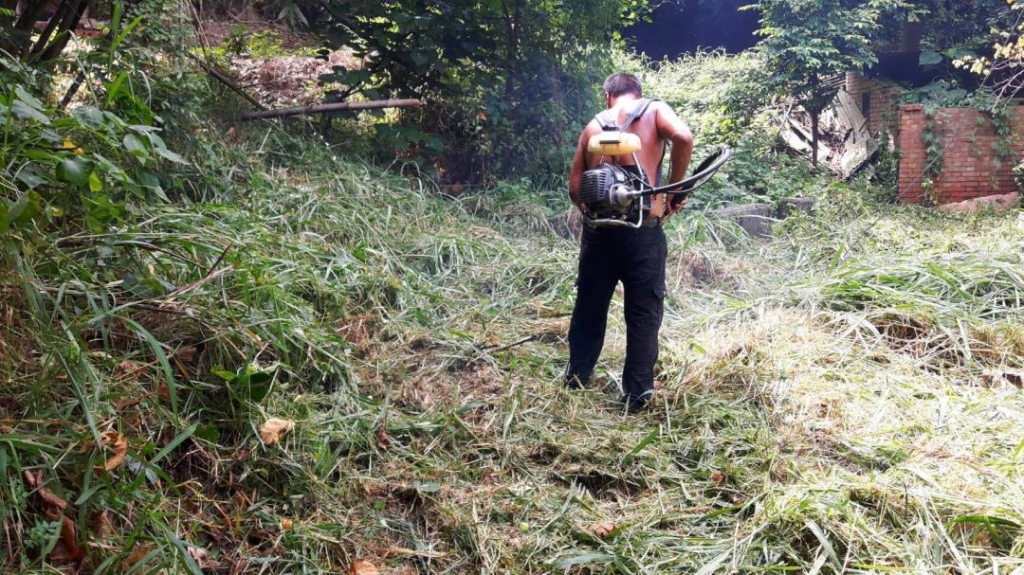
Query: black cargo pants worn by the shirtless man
<point x="608" y="256"/>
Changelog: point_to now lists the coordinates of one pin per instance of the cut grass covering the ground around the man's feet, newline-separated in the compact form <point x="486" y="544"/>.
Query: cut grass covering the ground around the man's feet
<point x="830" y="402"/>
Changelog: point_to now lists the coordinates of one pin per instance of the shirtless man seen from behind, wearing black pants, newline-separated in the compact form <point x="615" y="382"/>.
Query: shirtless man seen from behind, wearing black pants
<point x="635" y="257"/>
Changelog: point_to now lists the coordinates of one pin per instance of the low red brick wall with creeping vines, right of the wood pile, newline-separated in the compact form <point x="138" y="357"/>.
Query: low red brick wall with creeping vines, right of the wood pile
<point x="971" y="166"/>
